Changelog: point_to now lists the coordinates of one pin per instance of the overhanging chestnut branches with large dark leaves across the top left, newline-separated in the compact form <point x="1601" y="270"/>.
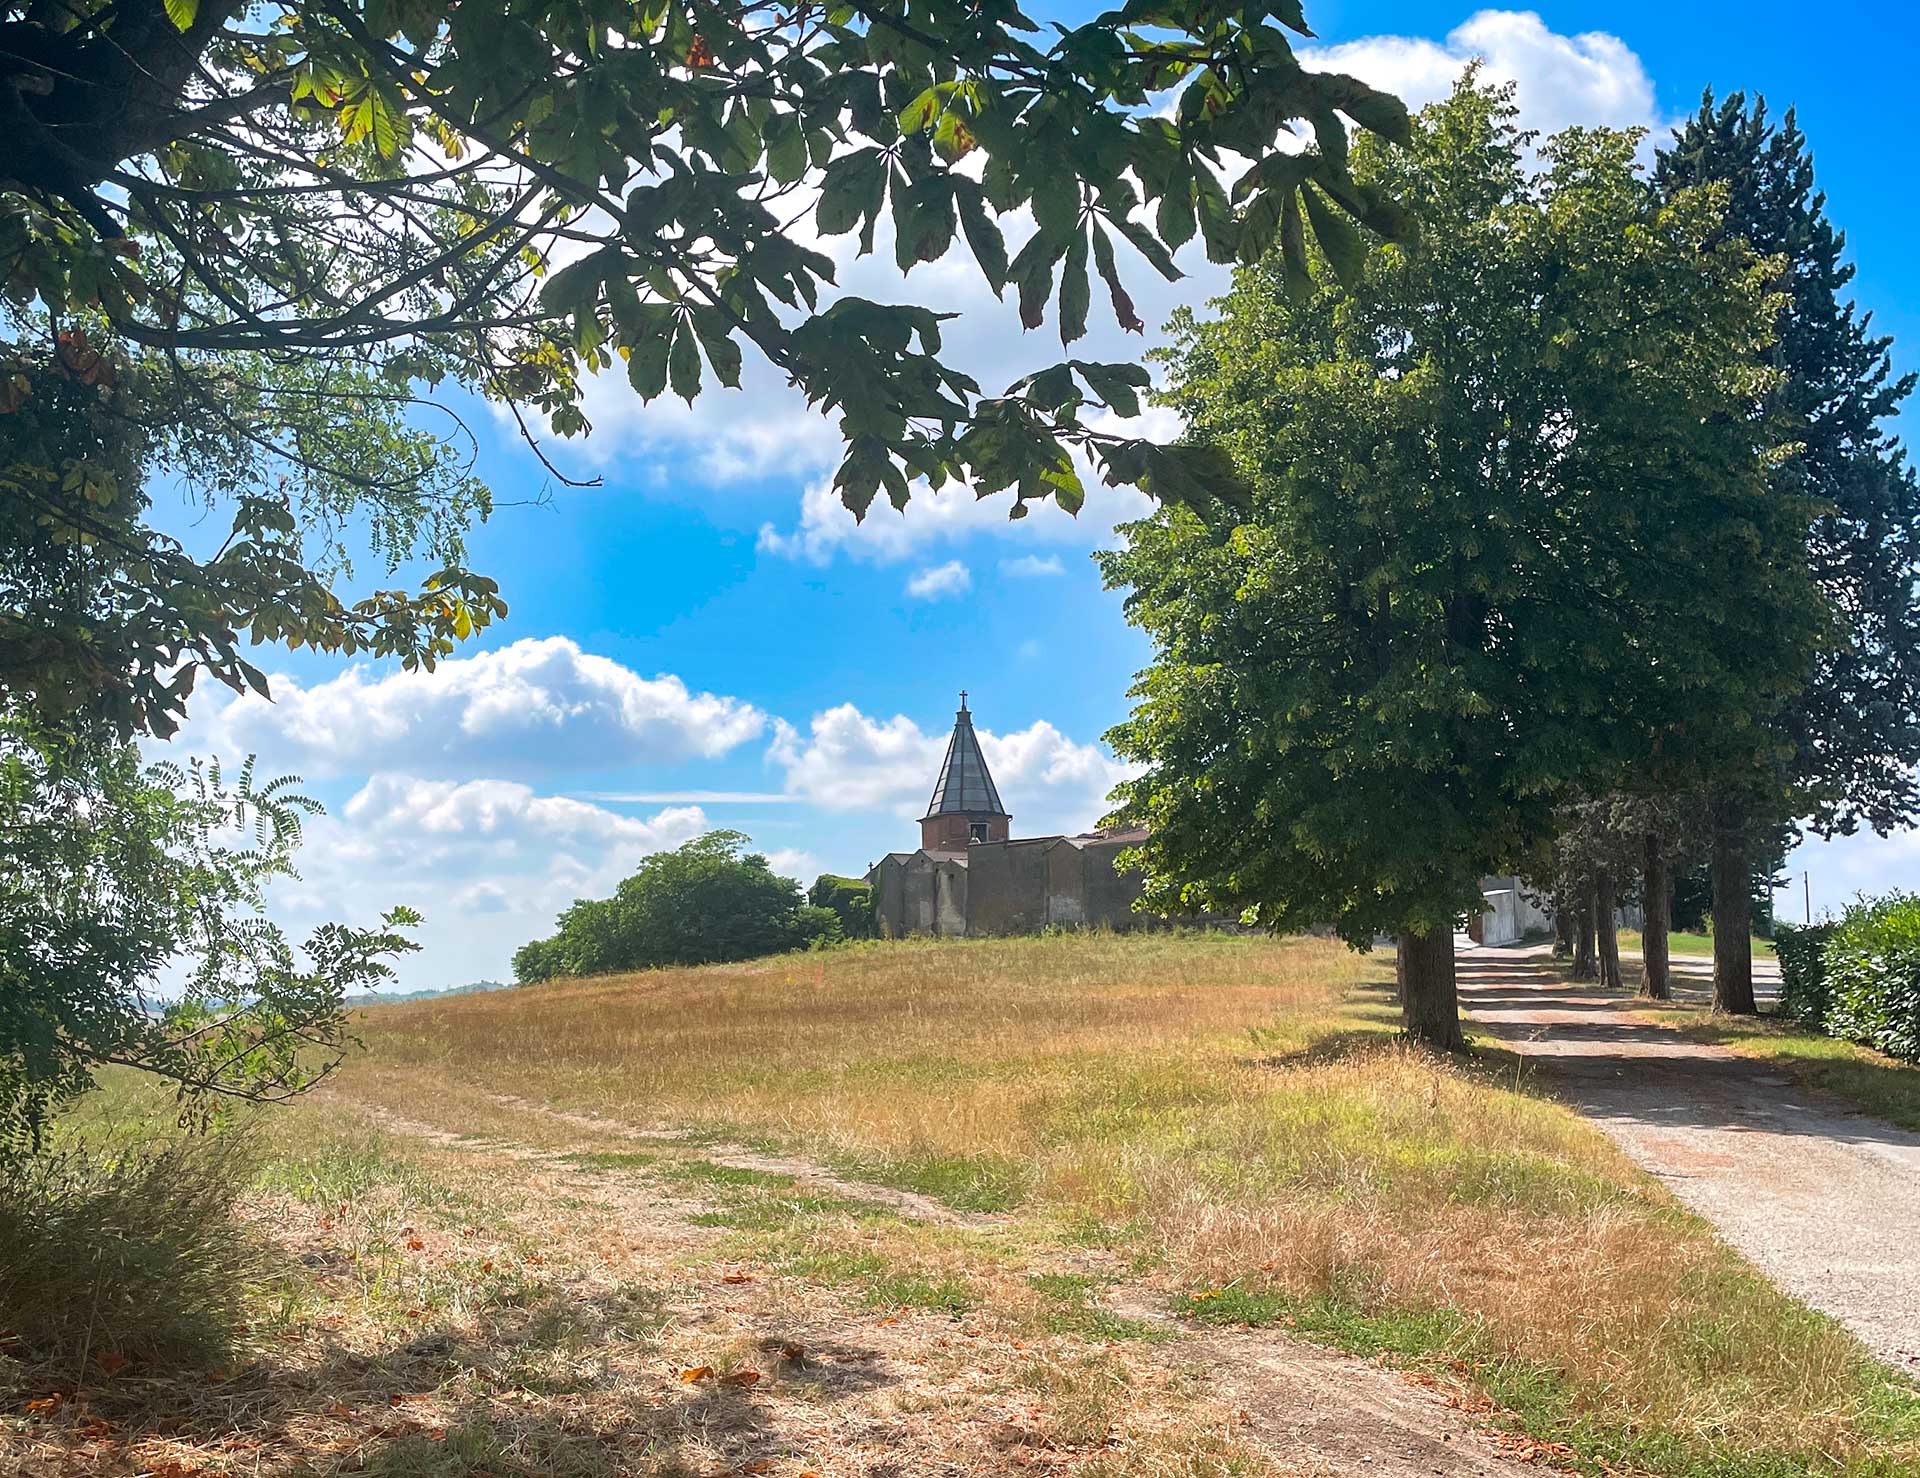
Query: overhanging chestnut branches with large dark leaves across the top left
<point x="304" y="216"/>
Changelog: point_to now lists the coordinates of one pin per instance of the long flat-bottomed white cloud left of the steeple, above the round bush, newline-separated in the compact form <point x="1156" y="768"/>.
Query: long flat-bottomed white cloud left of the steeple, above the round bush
<point x="535" y="707"/>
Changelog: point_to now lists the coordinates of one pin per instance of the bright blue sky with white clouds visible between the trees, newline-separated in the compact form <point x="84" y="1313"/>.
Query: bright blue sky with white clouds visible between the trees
<point x="706" y="640"/>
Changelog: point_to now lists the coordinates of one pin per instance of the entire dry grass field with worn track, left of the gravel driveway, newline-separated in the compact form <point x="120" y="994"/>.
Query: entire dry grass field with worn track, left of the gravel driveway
<point x="974" y="1206"/>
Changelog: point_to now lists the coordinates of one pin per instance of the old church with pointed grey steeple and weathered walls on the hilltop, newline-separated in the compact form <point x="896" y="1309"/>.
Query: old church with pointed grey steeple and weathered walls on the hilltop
<point x="974" y="878"/>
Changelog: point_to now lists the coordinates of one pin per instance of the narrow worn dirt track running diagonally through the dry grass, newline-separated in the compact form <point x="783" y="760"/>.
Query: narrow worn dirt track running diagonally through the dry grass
<point x="1316" y="1412"/>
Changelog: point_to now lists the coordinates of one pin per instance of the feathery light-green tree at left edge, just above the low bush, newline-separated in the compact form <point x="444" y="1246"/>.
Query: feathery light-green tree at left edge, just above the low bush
<point x="133" y="934"/>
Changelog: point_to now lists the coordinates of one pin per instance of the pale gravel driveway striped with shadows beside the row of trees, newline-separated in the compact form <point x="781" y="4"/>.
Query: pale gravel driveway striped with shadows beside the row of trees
<point x="1823" y="1199"/>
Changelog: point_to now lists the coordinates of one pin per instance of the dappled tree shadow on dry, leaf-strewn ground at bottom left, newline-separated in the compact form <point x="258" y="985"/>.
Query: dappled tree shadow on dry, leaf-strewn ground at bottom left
<point x="569" y="1387"/>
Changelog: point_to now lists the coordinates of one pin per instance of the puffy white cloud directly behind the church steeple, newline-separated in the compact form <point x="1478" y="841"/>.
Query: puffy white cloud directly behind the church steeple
<point x="850" y="763"/>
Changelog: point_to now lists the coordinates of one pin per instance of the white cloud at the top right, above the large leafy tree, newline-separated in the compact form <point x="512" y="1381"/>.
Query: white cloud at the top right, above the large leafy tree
<point x="1591" y="78"/>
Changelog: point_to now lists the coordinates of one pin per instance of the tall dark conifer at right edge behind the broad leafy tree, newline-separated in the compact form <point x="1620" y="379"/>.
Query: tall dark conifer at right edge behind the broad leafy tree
<point x="1856" y="723"/>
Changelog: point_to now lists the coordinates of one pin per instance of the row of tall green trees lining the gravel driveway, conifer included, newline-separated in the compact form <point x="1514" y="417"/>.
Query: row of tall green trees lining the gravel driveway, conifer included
<point x="1577" y="544"/>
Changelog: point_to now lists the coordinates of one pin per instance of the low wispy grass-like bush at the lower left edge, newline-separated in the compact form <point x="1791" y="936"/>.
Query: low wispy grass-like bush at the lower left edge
<point x="130" y="1254"/>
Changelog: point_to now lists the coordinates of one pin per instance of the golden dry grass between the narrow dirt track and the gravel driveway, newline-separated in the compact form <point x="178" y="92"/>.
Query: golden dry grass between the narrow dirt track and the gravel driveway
<point x="1239" y="1107"/>
